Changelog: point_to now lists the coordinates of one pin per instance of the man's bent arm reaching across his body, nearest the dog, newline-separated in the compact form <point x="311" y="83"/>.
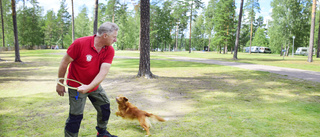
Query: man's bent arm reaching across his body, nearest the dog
<point x="104" y="70"/>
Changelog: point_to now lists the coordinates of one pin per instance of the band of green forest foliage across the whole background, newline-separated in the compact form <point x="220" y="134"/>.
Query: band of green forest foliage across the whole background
<point x="216" y="26"/>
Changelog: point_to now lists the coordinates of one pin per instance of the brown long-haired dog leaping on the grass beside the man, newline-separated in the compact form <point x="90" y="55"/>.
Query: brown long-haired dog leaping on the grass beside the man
<point x="129" y="111"/>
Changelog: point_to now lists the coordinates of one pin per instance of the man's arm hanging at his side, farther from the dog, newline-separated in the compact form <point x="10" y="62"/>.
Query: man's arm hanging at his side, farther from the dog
<point x="66" y="60"/>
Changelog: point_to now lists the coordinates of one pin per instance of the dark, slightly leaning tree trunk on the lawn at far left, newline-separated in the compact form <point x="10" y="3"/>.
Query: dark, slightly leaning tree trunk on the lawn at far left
<point x="16" y="41"/>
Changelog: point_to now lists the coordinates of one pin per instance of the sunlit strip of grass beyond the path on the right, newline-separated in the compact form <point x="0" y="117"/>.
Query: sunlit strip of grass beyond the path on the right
<point x="298" y="62"/>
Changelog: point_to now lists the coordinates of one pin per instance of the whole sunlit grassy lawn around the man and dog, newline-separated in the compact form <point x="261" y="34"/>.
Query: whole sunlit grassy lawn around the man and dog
<point x="198" y="99"/>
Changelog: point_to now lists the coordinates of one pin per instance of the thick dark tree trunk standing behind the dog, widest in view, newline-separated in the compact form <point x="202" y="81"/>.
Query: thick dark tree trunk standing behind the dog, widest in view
<point x="144" y="65"/>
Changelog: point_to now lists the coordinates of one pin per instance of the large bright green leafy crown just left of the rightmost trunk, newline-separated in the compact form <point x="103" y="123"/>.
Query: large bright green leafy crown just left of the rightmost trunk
<point x="290" y="18"/>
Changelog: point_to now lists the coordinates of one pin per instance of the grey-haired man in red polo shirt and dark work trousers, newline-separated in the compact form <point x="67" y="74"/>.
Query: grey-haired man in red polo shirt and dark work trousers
<point x="90" y="59"/>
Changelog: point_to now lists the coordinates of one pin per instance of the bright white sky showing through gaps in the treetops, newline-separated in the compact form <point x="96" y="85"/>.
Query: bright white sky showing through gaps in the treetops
<point x="55" y="5"/>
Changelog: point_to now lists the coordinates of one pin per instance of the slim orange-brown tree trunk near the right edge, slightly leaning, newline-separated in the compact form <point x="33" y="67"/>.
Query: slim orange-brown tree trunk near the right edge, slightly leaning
<point x="311" y="41"/>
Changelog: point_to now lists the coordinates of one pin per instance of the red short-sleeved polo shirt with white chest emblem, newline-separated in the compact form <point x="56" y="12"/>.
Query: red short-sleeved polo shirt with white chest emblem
<point x="86" y="60"/>
